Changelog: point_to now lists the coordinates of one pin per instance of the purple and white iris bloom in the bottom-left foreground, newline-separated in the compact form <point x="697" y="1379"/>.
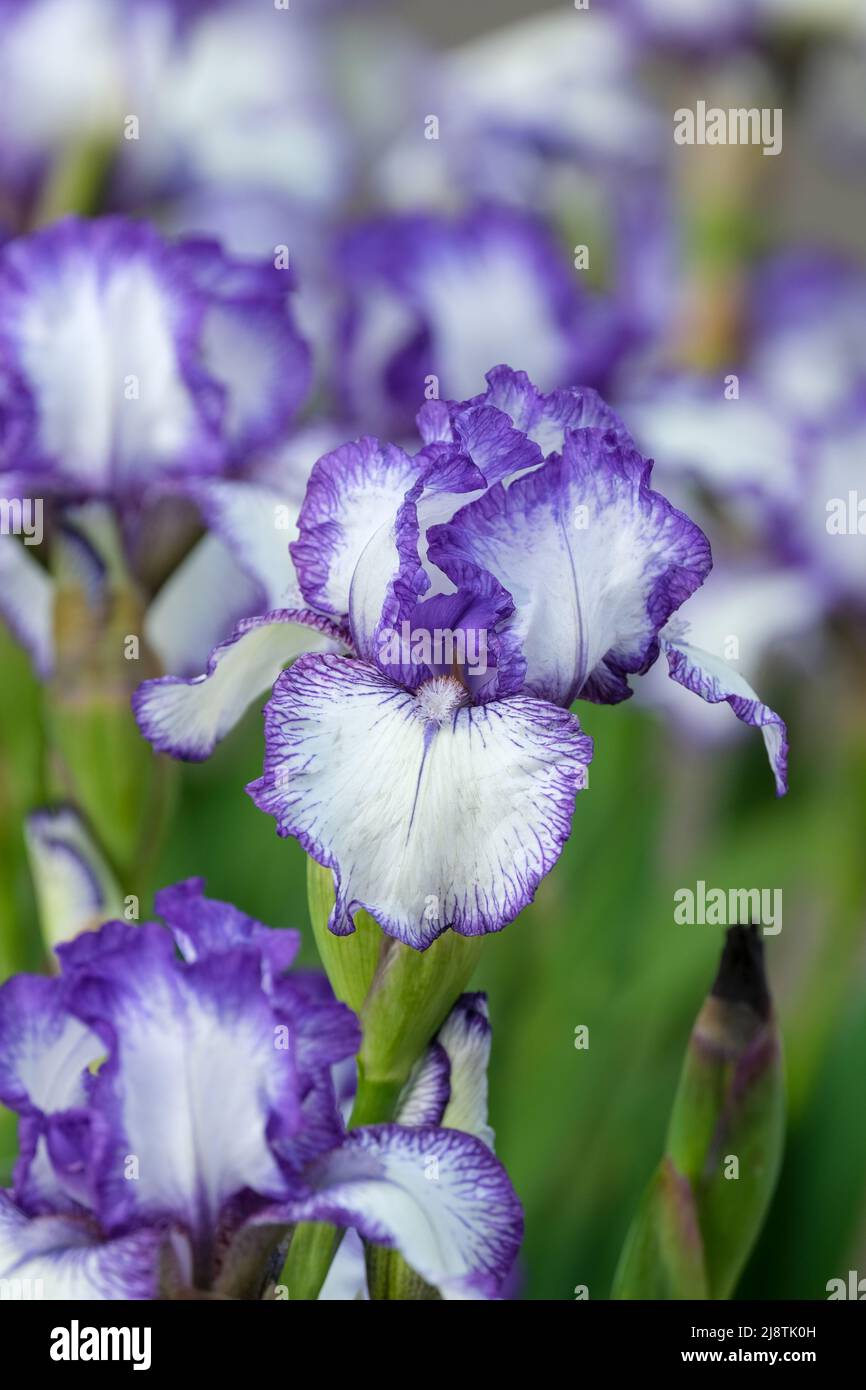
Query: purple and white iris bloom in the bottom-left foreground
<point x="179" y="1117"/>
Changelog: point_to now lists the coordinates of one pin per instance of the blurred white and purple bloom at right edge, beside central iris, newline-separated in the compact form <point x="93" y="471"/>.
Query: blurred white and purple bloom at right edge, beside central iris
<point x="785" y="454"/>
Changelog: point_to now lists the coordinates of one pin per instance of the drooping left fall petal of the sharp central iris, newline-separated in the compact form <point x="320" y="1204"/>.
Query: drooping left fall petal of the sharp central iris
<point x="188" y="718"/>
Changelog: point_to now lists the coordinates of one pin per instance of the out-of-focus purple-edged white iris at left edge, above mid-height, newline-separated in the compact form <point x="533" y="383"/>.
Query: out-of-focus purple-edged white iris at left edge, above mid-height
<point x="134" y="375"/>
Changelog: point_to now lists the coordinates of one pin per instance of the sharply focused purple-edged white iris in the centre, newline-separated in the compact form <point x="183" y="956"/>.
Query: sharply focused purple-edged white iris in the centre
<point x="519" y="562"/>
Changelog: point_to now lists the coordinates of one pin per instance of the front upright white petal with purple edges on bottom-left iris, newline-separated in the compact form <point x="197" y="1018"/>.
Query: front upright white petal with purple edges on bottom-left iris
<point x="198" y="1084"/>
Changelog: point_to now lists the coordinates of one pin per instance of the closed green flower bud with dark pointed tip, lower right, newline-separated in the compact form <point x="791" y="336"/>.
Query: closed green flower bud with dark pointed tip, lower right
<point x="705" y="1207"/>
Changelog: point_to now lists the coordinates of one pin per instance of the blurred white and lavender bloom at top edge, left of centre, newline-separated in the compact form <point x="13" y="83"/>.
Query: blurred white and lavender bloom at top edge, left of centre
<point x="236" y="95"/>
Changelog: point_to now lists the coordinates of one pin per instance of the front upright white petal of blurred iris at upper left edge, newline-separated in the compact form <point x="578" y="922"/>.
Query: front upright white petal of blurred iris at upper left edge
<point x="122" y="394"/>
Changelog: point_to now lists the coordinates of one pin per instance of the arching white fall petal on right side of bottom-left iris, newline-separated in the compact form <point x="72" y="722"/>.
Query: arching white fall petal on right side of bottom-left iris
<point x="437" y="1196"/>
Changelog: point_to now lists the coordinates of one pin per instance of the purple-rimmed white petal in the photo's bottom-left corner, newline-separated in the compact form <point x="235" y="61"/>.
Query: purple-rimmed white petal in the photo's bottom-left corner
<point x="66" y="1259"/>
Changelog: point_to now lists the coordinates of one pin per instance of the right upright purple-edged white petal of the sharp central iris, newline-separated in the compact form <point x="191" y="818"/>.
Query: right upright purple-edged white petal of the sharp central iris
<point x="594" y="559"/>
